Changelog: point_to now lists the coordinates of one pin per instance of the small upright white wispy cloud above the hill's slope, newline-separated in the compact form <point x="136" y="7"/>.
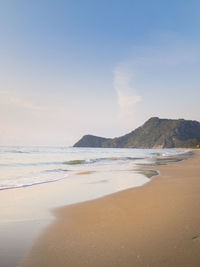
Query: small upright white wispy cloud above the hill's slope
<point x="126" y="92"/>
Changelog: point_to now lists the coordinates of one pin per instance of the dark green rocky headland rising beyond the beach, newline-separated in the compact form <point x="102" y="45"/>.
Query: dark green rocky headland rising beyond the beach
<point x="155" y="133"/>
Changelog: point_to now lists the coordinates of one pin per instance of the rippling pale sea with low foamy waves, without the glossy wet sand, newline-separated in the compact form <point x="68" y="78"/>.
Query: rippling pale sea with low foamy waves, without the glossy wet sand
<point x="22" y="166"/>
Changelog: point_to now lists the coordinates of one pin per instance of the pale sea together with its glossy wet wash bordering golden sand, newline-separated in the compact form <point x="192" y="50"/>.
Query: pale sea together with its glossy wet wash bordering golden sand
<point x="34" y="181"/>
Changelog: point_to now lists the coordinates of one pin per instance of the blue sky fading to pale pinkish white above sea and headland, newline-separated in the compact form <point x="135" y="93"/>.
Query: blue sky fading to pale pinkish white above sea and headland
<point x="75" y="67"/>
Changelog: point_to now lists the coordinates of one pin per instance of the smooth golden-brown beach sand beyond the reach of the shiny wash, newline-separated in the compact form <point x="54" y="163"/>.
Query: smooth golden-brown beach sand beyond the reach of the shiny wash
<point x="154" y="225"/>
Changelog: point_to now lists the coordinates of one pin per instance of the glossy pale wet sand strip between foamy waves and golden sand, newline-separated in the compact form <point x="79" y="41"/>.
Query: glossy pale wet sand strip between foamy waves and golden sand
<point x="26" y="211"/>
